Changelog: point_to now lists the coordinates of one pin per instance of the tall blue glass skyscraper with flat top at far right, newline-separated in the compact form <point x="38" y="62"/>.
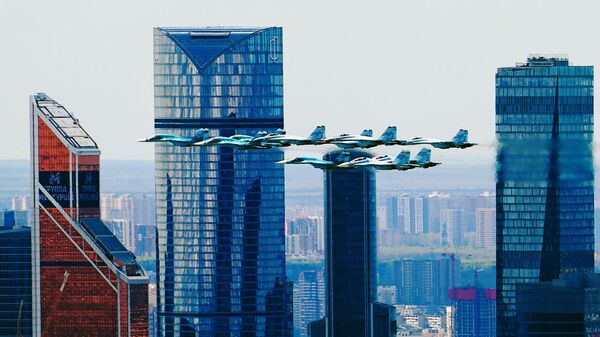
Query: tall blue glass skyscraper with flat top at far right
<point x="545" y="176"/>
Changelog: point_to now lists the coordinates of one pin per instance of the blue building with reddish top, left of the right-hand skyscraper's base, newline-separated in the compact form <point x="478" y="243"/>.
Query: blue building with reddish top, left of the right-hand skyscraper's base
<point x="473" y="312"/>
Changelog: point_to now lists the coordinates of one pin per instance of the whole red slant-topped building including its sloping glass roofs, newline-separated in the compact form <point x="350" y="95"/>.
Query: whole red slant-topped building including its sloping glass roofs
<point x="84" y="282"/>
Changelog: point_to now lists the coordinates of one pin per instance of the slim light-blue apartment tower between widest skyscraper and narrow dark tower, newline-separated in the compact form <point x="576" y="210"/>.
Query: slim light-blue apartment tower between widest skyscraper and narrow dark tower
<point x="309" y="301"/>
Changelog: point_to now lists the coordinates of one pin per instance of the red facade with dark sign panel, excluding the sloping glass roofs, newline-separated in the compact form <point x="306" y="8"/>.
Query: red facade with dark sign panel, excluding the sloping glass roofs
<point x="78" y="297"/>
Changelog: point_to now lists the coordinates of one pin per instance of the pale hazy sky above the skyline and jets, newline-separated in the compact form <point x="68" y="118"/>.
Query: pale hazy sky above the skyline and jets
<point x="426" y="66"/>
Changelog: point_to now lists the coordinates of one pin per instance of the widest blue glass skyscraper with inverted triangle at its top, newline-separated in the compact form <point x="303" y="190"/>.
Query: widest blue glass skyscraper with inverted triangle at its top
<point x="220" y="211"/>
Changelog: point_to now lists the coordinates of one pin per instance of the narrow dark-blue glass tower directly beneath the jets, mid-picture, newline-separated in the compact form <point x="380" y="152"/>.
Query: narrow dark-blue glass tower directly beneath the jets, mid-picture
<point x="350" y="249"/>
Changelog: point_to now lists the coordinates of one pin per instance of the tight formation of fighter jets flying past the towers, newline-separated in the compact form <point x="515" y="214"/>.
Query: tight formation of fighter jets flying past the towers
<point x="279" y="139"/>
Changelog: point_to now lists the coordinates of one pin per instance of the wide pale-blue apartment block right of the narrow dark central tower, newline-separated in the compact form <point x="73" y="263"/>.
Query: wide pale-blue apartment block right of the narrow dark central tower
<point x="425" y="282"/>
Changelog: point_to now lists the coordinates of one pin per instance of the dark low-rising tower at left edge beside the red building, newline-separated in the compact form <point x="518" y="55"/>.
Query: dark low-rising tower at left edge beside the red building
<point x="15" y="282"/>
